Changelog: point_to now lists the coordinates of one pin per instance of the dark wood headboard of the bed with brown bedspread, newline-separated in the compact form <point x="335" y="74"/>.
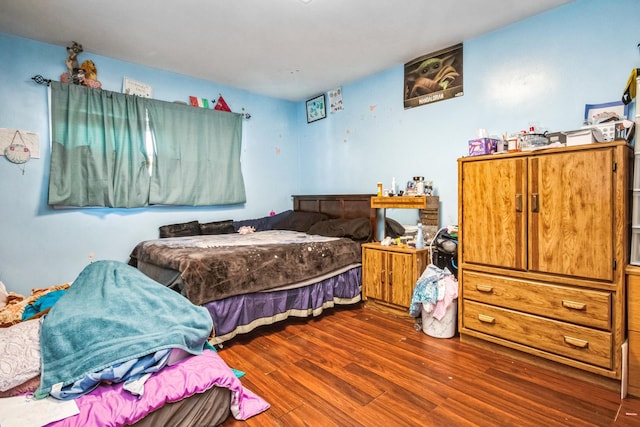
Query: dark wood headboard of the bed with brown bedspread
<point x="344" y="206"/>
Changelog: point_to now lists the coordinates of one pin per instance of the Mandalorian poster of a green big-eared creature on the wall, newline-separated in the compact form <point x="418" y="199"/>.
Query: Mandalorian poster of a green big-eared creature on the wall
<point x="433" y="77"/>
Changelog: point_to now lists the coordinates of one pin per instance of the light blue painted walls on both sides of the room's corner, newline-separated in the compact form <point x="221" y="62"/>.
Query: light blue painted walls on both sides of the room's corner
<point x="544" y="69"/>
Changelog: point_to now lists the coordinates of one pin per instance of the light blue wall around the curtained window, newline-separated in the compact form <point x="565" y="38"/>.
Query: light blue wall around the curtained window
<point x="40" y="246"/>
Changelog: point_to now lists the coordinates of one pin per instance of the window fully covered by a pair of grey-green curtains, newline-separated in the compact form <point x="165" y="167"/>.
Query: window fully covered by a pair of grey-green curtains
<point x="115" y="150"/>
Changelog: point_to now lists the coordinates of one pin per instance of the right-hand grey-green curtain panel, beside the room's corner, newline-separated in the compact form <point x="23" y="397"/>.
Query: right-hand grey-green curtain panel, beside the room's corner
<point x="197" y="159"/>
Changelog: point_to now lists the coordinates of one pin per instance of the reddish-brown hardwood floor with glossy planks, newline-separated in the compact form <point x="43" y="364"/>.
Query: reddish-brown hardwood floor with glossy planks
<point x="361" y="367"/>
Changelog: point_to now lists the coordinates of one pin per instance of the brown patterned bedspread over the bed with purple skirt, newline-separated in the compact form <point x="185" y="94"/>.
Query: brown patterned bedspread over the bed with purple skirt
<point x="219" y="266"/>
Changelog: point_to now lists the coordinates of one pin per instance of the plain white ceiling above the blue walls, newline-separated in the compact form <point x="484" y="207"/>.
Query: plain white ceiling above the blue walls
<point x="290" y="49"/>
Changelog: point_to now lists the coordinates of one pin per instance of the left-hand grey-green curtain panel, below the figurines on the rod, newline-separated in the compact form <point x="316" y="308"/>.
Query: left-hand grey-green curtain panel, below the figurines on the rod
<point x="98" y="155"/>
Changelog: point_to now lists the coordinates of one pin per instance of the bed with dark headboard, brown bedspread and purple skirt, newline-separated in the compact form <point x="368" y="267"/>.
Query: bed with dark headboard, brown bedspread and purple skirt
<point x="297" y="263"/>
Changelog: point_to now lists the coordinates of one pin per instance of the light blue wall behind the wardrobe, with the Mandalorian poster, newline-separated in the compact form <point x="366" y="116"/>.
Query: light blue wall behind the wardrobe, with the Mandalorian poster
<point x="544" y="70"/>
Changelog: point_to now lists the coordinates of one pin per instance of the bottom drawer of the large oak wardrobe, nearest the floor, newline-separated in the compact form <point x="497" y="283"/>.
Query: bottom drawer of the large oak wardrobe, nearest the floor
<point x="576" y="342"/>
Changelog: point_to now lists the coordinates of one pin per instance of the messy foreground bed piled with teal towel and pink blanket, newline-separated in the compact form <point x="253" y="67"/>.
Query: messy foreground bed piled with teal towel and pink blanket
<point x="99" y="328"/>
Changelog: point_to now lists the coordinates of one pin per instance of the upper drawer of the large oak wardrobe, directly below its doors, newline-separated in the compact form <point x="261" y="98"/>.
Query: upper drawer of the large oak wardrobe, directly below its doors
<point x="576" y="305"/>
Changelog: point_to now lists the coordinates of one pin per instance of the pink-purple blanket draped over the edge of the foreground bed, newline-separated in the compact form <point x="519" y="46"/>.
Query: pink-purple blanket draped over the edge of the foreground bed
<point x="110" y="405"/>
